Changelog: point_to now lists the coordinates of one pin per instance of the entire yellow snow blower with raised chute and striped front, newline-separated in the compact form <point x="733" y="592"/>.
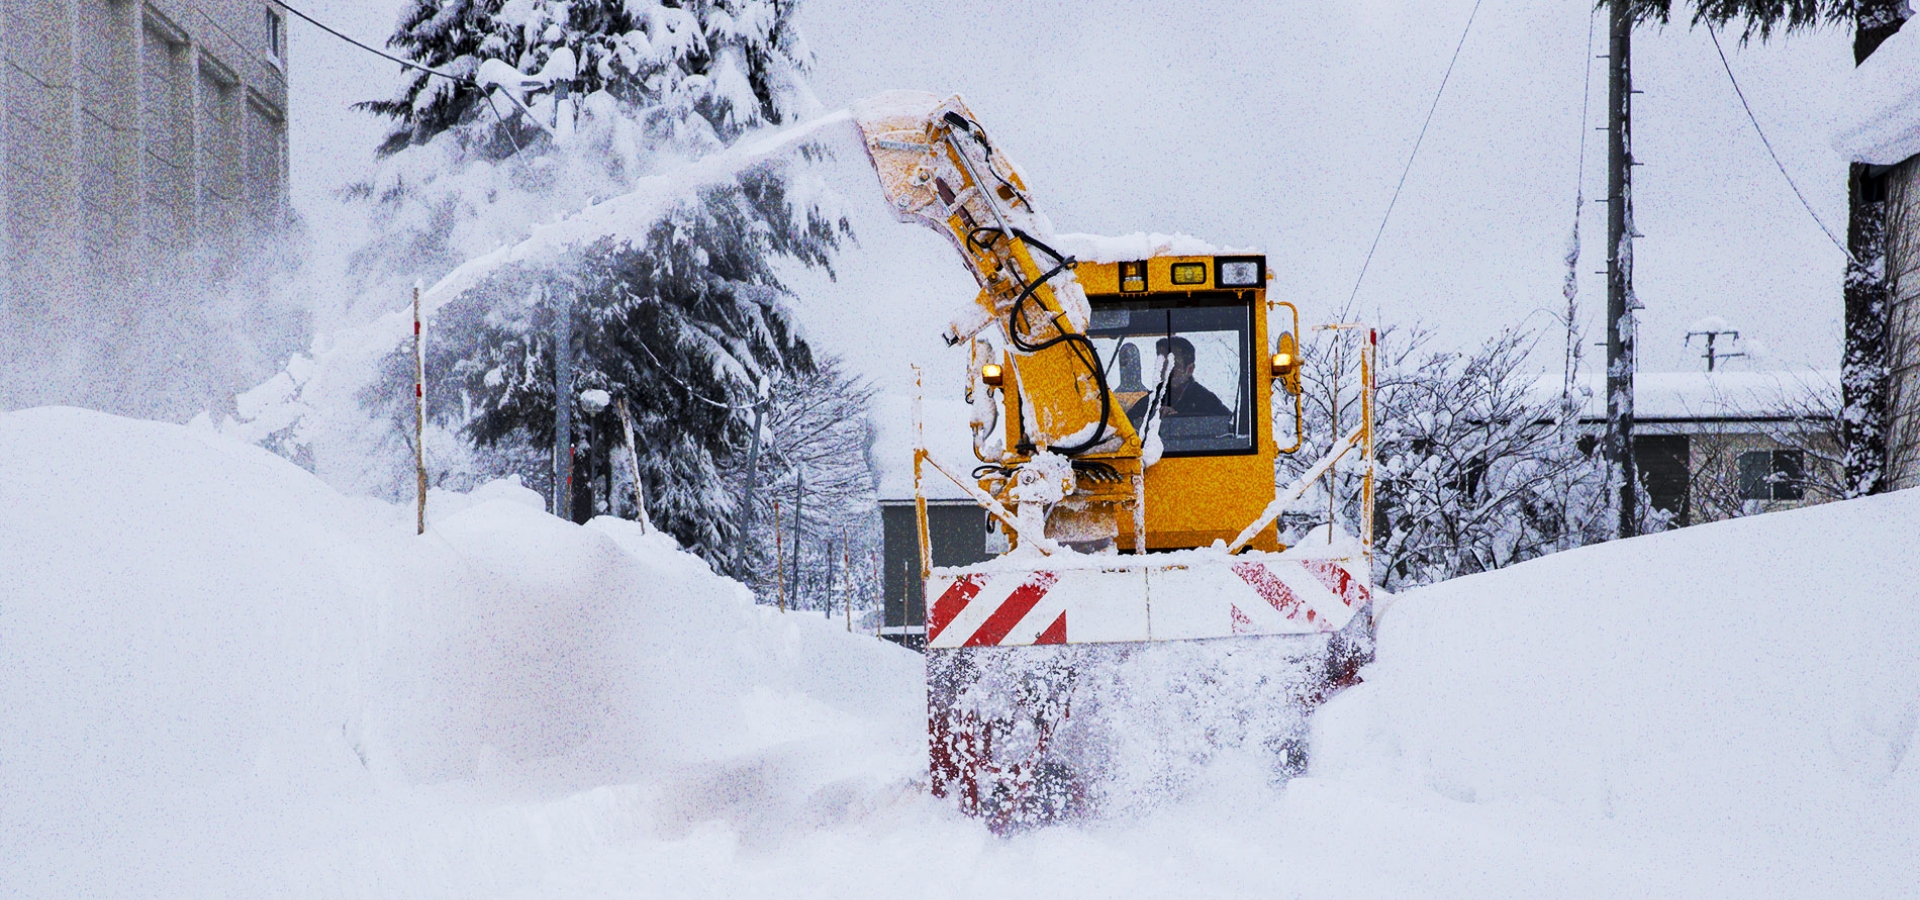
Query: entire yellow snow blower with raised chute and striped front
<point x="1128" y="419"/>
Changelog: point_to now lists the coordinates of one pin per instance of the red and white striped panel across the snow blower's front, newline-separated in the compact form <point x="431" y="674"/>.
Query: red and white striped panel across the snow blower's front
<point x="1247" y="596"/>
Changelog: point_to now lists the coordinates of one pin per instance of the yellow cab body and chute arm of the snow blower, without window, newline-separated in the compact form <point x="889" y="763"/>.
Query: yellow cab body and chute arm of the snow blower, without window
<point x="940" y="170"/>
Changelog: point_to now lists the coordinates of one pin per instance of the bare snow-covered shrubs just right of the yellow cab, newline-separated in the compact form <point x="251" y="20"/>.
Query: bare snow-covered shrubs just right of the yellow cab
<point x="1479" y="456"/>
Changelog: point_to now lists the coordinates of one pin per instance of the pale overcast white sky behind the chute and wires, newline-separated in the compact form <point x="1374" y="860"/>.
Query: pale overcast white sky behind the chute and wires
<point x="1285" y="128"/>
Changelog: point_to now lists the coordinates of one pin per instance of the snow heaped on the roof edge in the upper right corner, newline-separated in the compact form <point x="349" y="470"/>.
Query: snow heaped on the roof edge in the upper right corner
<point x="1881" y="122"/>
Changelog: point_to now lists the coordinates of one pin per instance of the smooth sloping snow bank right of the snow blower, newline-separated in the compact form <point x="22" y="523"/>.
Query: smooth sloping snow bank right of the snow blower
<point x="1721" y="711"/>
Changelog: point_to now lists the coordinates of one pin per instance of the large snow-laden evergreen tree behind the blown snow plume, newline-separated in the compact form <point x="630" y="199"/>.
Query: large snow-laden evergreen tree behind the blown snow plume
<point x="683" y="318"/>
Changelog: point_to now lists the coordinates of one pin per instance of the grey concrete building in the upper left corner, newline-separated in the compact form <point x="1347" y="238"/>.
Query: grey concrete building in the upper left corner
<point x="143" y="158"/>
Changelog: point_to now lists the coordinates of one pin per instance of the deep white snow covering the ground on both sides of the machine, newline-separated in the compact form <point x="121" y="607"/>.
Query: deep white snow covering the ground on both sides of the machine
<point x="222" y="678"/>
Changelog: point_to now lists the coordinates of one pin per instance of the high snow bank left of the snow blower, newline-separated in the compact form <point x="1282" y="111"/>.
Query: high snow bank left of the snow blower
<point x="222" y="678"/>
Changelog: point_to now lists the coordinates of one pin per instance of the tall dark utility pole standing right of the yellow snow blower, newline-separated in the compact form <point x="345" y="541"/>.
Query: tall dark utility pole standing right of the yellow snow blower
<point x="1621" y="264"/>
